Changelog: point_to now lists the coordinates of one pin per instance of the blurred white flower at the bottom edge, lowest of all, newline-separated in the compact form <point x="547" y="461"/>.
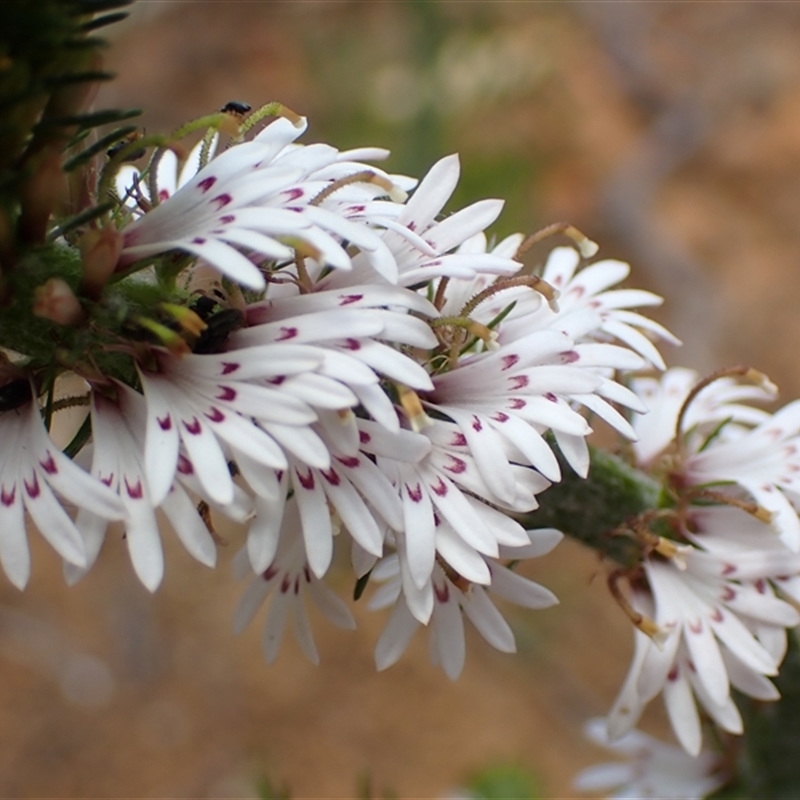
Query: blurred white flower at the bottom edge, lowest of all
<point x="653" y="769"/>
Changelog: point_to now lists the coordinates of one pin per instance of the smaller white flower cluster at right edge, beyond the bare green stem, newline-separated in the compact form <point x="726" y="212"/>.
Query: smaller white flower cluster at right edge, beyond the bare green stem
<point x="706" y="598"/>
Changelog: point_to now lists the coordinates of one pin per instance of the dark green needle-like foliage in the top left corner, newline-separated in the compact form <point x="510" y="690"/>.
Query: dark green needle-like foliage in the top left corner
<point x="49" y="67"/>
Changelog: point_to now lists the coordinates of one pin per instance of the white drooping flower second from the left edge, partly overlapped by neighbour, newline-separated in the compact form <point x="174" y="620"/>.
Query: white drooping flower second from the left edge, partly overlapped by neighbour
<point x="118" y="429"/>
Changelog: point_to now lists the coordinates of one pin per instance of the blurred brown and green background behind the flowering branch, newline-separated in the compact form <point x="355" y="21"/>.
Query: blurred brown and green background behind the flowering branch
<point x="669" y="133"/>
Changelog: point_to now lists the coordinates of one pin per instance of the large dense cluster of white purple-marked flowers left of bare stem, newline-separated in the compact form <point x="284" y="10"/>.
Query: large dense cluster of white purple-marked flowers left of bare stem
<point x="278" y="333"/>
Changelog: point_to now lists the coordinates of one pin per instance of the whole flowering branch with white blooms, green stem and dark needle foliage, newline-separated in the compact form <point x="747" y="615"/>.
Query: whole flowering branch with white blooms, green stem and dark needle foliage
<point x="291" y="337"/>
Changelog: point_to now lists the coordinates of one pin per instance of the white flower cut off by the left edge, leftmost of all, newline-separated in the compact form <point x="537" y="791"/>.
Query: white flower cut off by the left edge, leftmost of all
<point x="31" y="468"/>
